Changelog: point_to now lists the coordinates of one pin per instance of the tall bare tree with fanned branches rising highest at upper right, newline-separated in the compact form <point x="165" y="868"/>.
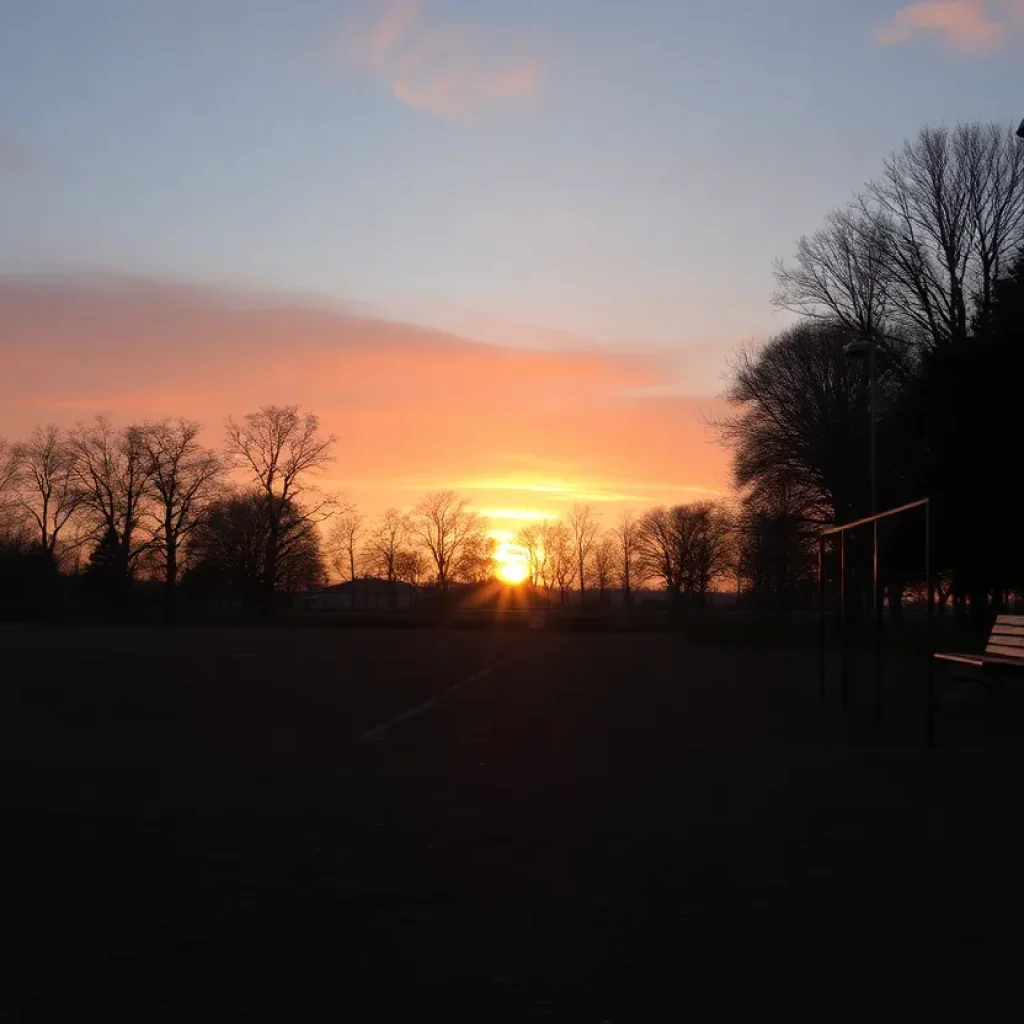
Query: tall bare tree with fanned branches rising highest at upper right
<point x="919" y="254"/>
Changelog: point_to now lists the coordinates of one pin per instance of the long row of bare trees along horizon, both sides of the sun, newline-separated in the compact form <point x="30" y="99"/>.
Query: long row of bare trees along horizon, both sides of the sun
<point x="114" y="507"/>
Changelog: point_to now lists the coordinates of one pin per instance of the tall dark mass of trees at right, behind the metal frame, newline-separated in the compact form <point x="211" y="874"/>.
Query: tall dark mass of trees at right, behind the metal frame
<point x="927" y="263"/>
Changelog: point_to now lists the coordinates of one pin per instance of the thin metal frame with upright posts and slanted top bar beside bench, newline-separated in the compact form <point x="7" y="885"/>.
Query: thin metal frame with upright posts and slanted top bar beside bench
<point x="842" y="531"/>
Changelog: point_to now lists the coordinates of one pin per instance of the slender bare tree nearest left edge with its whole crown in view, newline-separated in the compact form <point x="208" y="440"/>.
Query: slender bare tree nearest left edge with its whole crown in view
<point x="47" y="483"/>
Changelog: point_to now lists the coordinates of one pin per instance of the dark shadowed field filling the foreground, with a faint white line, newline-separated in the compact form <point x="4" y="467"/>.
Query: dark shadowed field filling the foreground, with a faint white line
<point x="603" y="828"/>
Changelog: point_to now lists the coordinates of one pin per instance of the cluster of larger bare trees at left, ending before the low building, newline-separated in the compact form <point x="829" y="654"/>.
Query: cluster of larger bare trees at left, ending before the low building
<point x="116" y="505"/>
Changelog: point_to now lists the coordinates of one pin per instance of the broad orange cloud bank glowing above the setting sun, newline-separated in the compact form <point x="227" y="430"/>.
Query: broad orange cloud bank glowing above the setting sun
<point x="416" y="410"/>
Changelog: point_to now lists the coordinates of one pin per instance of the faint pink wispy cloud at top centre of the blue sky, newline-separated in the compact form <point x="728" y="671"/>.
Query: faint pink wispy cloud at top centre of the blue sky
<point x="450" y="70"/>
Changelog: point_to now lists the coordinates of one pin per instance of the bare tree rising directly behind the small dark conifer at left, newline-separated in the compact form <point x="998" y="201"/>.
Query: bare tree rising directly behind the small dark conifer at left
<point x="112" y="472"/>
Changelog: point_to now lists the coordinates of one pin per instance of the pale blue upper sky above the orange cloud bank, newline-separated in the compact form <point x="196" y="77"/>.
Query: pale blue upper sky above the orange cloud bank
<point x="622" y="172"/>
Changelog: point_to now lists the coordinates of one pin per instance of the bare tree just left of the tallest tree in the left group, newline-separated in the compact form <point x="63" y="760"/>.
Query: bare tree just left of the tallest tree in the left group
<point x="185" y="477"/>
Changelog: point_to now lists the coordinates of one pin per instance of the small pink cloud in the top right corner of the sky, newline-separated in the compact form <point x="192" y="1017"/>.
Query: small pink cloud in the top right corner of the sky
<point x="970" y="26"/>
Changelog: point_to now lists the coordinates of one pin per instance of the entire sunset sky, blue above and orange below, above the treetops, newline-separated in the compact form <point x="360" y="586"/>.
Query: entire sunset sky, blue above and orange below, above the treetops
<point x="504" y="246"/>
